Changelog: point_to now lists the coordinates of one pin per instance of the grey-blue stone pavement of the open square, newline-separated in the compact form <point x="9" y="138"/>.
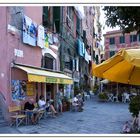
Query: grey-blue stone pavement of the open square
<point x="97" y="118"/>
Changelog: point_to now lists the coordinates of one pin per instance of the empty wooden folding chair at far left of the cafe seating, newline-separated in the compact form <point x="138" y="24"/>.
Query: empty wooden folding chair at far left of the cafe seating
<point x="17" y="116"/>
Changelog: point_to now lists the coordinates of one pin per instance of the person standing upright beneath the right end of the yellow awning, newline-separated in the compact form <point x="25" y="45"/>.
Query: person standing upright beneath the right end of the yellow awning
<point x="58" y="99"/>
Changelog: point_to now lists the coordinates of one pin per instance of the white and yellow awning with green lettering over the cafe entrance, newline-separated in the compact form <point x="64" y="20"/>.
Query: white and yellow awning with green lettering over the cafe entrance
<point x="39" y="75"/>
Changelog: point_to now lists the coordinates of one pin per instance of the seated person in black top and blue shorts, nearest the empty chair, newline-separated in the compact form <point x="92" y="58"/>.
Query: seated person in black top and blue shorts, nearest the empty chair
<point x="29" y="108"/>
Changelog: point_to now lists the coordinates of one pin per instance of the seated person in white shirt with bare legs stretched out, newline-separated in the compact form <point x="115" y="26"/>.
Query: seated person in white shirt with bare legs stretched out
<point x="43" y="105"/>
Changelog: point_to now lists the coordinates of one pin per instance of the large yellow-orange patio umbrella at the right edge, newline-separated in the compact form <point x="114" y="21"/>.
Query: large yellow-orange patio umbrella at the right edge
<point x="123" y="67"/>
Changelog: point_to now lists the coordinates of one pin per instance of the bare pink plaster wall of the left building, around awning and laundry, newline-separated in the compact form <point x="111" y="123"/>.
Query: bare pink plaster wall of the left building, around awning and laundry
<point x="11" y="41"/>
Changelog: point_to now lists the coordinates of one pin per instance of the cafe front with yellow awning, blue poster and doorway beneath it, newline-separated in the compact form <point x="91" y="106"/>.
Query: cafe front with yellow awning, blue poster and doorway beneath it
<point x="36" y="81"/>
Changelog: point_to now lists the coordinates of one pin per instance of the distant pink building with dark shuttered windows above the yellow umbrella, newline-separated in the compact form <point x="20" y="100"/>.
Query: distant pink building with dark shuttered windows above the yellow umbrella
<point x="115" y="40"/>
